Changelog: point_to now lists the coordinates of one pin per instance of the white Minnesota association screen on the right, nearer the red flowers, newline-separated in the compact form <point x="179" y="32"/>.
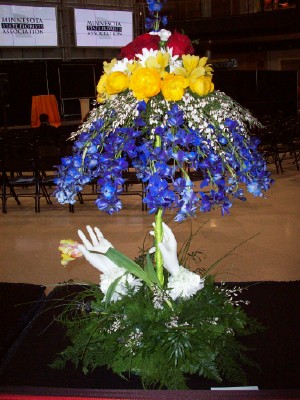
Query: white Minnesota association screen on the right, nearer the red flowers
<point x="103" y="28"/>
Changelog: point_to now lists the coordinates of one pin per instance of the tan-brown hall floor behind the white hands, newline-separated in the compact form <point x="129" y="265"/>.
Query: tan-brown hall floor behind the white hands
<point x="29" y="241"/>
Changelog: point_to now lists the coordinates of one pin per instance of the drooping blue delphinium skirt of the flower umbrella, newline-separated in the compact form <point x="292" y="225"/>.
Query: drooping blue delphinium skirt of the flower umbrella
<point x="222" y="152"/>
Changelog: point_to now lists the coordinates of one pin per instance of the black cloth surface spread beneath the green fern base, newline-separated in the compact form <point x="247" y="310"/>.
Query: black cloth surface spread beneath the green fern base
<point x="277" y="350"/>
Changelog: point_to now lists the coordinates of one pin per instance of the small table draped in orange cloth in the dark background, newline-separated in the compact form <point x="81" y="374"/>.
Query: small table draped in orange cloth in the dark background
<point x="44" y="104"/>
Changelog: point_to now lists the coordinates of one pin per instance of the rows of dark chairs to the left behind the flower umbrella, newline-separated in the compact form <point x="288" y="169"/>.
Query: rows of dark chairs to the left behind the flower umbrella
<point x="29" y="171"/>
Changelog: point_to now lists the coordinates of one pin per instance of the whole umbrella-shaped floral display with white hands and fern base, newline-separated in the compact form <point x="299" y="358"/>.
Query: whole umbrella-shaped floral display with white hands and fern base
<point x="158" y="109"/>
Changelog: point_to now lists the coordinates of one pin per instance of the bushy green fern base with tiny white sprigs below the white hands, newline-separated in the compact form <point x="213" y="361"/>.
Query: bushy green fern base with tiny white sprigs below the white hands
<point x="161" y="341"/>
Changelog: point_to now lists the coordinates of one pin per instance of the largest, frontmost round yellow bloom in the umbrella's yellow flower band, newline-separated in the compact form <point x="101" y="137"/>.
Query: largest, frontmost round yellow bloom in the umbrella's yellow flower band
<point x="145" y="83"/>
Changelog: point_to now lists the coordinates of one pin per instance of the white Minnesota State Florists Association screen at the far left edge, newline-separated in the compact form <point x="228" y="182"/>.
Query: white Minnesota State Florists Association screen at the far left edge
<point x="22" y="26"/>
